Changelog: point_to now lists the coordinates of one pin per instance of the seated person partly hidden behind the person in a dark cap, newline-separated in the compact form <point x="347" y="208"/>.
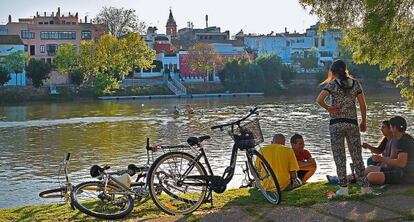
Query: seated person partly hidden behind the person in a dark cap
<point x="387" y="148"/>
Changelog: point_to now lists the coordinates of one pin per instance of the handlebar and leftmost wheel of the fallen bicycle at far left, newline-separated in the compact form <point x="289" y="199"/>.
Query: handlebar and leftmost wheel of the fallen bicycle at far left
<point x="65" y="189"/>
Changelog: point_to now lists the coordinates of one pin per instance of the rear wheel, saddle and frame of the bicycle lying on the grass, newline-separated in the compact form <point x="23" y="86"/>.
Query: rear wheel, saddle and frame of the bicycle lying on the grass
<point x="112" y="197"/>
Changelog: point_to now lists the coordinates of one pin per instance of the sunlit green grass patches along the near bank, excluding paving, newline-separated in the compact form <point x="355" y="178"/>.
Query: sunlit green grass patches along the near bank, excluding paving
<point x="304" y="196"/>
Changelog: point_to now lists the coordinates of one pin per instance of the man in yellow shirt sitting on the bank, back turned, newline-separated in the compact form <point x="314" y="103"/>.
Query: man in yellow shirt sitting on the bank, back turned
<point x="283" y="162"/>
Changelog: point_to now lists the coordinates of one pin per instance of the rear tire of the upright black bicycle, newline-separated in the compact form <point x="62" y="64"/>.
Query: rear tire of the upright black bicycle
<point x="156" y="191"/>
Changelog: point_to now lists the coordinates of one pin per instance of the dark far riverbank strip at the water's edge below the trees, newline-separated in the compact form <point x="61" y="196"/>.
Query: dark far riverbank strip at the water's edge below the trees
<point x="68" y="93"/>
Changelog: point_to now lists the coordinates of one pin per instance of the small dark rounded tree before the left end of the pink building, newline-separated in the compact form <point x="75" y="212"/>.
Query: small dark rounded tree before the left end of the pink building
<point x="38" y="71"/>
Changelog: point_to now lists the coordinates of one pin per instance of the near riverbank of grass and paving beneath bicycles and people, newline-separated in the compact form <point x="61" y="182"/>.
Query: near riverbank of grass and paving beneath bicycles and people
<point x="307" y="203"/>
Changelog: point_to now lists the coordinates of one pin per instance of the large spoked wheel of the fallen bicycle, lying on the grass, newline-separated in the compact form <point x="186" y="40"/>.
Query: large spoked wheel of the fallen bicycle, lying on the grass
<point x="93" y="199"/>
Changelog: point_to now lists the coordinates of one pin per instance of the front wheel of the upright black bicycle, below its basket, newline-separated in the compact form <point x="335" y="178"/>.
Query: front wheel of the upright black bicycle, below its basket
<point x="265" y="179"/>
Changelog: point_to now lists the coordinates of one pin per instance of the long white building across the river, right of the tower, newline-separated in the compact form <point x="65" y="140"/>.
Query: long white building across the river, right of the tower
<point x="285" y="44"/>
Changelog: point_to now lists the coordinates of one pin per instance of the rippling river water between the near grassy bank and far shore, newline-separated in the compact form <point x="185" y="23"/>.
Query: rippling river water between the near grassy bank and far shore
<point x="35" y="137"/>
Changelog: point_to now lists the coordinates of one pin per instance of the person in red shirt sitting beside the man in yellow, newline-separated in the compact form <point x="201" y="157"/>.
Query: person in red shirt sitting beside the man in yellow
<point x="307" y="164"/>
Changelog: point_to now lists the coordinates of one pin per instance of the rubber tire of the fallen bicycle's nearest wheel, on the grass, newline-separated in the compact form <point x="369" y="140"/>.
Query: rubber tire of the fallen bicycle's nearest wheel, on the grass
<point x="97" y="185"/>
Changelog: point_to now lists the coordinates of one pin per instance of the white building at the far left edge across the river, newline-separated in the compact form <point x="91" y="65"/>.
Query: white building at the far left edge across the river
<point x="8" y="45"/>
